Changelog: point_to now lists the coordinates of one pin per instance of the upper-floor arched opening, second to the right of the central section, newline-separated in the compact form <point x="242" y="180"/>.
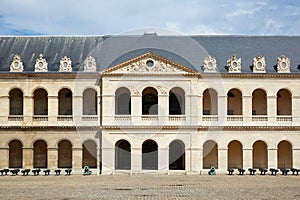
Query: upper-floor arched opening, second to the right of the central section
<point x="234" y="102"/>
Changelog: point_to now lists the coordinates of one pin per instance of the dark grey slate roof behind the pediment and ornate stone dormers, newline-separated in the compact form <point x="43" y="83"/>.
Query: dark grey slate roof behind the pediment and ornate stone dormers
<point x="112" y="50"/>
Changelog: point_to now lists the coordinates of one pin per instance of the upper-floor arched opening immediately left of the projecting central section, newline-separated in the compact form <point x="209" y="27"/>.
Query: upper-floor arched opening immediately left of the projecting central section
<point x="89" y="102"/>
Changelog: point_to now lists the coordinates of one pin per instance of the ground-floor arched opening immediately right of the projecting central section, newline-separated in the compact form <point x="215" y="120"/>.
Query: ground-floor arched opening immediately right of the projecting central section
<point x="210" y="154"/>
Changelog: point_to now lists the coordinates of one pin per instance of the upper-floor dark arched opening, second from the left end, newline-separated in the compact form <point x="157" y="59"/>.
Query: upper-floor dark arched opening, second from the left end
<point x="40" y="102"/>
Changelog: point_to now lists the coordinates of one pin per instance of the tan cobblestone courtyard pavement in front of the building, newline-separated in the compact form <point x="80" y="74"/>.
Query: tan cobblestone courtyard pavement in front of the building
<point x="146" y="186"/>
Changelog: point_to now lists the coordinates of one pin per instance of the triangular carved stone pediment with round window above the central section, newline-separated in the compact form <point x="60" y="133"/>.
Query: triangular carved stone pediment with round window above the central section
<point x="149" y="63"/>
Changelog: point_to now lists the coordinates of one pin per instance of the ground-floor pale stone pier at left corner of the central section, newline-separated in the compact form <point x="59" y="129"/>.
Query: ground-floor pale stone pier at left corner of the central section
<point x="108" y="160"/>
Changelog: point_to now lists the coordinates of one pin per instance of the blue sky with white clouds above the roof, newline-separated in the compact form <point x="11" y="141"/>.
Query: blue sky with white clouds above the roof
<point x="113" y="17"/>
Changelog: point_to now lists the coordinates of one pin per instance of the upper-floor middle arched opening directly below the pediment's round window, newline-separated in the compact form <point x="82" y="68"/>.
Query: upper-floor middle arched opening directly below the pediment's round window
<point x="150" y="101"/>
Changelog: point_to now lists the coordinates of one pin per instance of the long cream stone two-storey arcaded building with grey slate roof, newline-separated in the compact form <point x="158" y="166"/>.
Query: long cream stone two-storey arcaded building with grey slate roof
<point x="149" y="103"/>
